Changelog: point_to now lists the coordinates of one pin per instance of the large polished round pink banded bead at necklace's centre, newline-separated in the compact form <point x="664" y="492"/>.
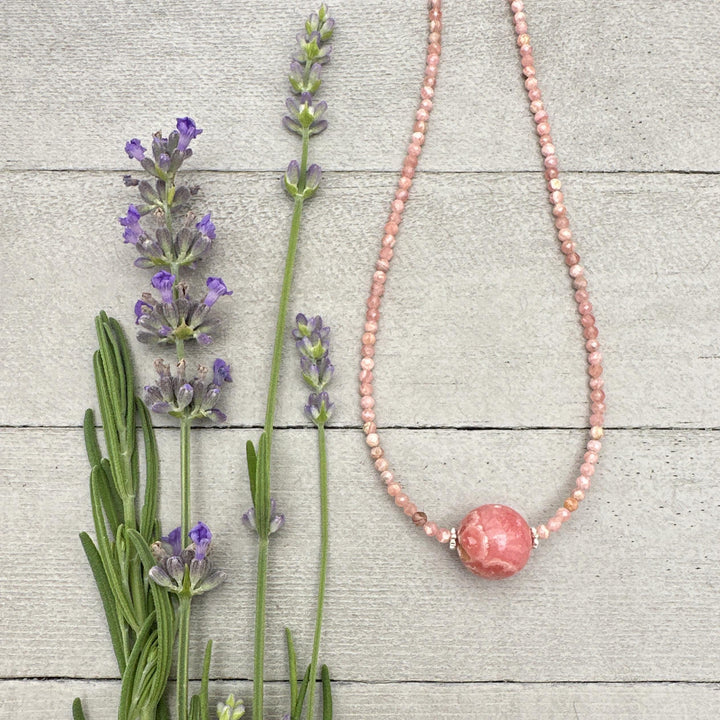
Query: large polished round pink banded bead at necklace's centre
<point x="494" y="541"/>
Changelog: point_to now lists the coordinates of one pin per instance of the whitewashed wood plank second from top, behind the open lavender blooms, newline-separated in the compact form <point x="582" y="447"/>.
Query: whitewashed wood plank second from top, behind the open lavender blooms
<point x="479" y="325"/>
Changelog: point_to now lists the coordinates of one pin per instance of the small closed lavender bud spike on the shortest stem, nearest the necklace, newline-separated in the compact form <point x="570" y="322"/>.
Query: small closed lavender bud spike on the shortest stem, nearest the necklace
<point x="312" y="340"/>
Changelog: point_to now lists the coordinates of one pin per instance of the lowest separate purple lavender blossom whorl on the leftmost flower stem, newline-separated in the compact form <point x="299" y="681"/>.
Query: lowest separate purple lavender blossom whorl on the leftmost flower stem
<point x="186" y="570"/>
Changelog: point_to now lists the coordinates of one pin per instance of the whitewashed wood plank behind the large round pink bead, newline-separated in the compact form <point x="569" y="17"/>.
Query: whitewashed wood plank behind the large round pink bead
<point x="626" y="592"/>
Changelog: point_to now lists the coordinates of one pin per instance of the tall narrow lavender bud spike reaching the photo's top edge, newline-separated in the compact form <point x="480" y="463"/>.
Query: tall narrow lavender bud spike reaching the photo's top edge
<point x="305" y="115"/>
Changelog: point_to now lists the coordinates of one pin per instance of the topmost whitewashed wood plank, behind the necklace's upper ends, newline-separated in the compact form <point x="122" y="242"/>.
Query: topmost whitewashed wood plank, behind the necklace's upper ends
<point x="630" y="85"/>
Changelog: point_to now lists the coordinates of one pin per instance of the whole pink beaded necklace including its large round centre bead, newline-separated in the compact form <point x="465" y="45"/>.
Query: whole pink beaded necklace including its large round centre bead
<point x="493" y="541"/>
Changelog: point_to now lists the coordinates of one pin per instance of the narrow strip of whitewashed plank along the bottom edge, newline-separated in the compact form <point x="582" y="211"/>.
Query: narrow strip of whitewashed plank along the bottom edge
<point x="441" y="701"/>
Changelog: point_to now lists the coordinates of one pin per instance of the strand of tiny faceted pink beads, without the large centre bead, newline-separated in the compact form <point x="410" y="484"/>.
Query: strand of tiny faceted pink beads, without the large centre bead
<point x="567" y="247"/>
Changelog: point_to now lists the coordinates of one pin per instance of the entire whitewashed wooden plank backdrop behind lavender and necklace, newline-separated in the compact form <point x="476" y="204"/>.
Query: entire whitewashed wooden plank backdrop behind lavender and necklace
<point x="480" y="370"/>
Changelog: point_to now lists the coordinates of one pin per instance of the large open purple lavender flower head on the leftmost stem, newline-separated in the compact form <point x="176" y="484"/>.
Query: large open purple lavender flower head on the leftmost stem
<point x="168" y="238"/>
